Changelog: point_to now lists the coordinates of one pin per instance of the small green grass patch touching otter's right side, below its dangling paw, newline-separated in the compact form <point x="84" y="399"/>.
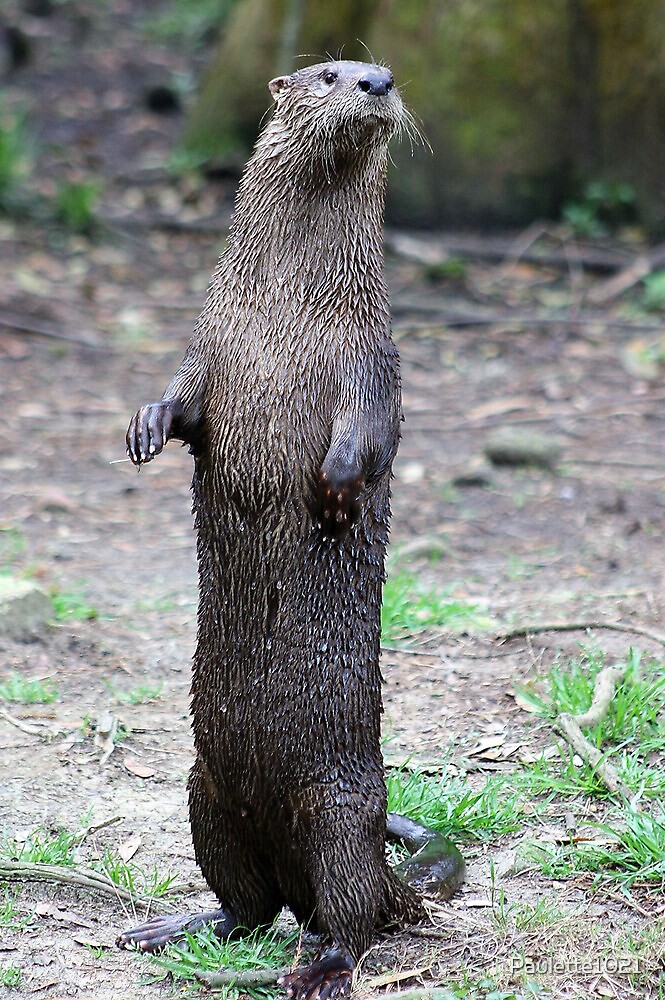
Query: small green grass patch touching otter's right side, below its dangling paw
<point x="411" y="606"/>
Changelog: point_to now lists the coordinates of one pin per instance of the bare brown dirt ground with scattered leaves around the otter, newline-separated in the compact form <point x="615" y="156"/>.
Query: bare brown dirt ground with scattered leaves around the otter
<point x="579" y="542"/>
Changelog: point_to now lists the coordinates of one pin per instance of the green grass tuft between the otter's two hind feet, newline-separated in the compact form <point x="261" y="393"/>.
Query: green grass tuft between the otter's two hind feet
<point x="203" y="952"/>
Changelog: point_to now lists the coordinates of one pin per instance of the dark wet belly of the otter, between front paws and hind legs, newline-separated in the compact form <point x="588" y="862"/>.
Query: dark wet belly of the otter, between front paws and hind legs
<point x="286" y="685"/>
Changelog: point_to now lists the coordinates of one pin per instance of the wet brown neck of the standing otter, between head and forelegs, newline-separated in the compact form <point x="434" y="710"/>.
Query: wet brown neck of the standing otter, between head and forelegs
<point x="315" y="227"/>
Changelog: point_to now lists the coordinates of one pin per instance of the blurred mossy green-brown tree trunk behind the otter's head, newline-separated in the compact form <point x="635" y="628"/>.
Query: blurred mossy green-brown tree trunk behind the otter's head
<point x="522" y="103"/>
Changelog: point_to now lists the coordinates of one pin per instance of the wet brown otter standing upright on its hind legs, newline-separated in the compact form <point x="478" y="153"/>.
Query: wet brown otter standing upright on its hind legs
<point x="289" y="400"/>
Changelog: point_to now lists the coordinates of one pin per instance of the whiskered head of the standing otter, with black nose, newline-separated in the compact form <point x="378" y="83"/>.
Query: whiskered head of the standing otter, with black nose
<point x="339" y="106"/>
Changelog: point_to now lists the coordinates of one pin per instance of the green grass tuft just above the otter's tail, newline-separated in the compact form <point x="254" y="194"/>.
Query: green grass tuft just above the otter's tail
<point x="451" y="805"/>
